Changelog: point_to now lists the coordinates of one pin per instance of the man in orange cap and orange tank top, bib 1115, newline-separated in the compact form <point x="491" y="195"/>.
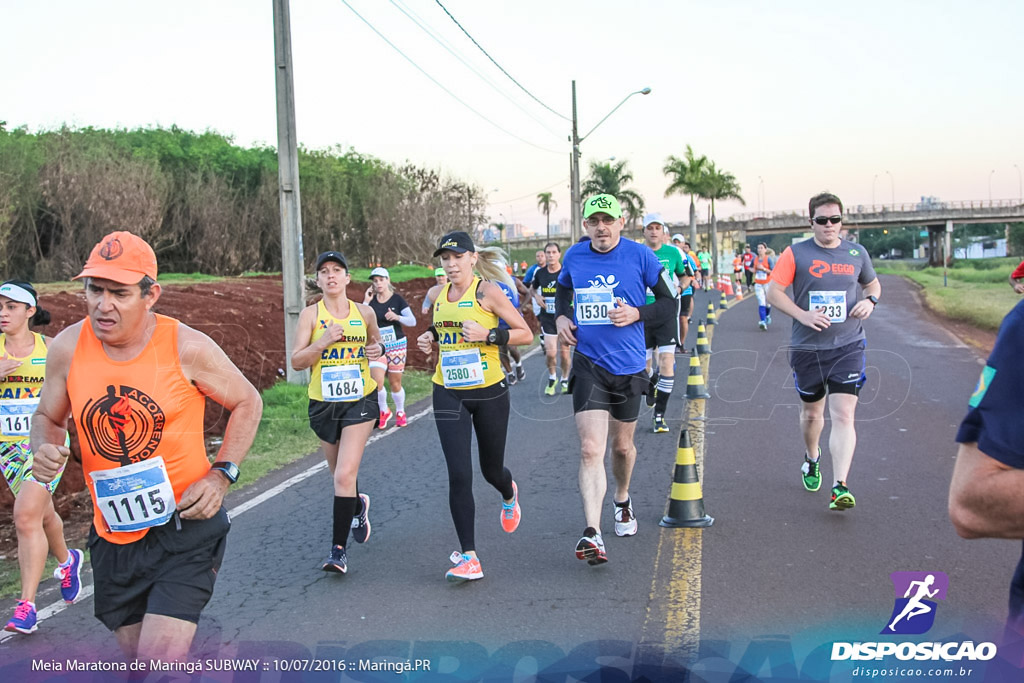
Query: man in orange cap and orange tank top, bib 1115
<point x="136" y="383"/>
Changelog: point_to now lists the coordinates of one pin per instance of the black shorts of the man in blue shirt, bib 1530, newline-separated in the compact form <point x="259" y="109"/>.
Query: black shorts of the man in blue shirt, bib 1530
<point x="594" y="389"/>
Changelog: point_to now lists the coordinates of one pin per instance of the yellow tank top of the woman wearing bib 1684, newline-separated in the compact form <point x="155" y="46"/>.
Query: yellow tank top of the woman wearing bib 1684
<point x="343" y="372"/>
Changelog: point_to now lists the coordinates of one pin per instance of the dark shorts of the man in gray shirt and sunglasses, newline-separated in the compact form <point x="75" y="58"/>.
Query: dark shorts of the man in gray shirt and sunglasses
<point x="836" y="370"/>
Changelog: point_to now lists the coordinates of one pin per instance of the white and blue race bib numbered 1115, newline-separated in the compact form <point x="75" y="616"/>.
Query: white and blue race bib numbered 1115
<point x="135" y="497"/>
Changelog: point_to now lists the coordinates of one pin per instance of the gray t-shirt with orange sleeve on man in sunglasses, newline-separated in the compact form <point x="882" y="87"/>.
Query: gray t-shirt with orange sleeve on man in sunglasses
<point x="829" y="279"/>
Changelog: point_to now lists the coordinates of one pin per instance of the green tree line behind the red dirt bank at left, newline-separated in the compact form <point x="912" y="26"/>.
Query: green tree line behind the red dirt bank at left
<point x="208" y="205"/>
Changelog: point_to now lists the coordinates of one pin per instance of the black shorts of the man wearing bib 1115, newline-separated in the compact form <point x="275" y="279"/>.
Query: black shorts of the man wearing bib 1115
<point x="169" y="572"/>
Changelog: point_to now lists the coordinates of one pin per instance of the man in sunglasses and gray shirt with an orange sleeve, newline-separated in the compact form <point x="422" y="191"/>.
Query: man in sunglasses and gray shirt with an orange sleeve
<point x="834" y="290"/>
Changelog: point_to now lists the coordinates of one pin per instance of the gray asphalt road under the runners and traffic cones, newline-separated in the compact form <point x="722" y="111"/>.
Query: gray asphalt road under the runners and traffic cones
<point x="760" y="594"/>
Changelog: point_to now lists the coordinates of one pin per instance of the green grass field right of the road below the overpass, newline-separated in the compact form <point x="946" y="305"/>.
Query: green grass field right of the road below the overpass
<point x="977" y="291"/>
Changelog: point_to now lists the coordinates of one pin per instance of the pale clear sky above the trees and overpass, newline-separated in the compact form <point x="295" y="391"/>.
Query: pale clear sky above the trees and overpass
<point x="875" y="101"/>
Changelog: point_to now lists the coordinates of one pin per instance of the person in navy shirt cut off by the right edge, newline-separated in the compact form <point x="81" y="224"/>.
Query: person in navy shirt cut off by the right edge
<point x="987" y="496"/>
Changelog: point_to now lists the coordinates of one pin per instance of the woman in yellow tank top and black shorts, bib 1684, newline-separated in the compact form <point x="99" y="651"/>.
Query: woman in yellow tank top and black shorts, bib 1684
<point x="337" y="338"/>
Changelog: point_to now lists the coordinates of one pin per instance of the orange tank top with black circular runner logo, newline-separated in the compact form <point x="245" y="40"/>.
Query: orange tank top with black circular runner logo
<point x="130" y="411"/>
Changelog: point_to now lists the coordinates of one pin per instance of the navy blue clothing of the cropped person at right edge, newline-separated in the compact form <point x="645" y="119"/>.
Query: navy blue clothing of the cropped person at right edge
<point x="994" y="420"/>
